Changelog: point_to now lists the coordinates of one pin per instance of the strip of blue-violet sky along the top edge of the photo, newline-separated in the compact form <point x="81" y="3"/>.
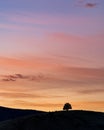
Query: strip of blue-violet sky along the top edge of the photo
<point x="53" y="6"/>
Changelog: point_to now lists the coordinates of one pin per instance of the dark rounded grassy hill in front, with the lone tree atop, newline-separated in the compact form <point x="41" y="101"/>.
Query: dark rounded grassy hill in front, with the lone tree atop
<point x="72" y="120"/>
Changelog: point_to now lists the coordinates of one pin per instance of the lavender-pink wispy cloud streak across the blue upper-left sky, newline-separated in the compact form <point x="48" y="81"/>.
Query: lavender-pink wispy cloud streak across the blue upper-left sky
<point x="34" y="19"/>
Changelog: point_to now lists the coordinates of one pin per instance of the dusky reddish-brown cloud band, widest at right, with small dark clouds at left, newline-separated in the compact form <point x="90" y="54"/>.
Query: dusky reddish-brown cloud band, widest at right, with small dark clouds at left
<point x="63" y="75"/>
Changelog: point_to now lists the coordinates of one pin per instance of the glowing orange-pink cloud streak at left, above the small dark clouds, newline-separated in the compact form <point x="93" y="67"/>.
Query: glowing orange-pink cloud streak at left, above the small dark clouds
<point x="25" y="63"/>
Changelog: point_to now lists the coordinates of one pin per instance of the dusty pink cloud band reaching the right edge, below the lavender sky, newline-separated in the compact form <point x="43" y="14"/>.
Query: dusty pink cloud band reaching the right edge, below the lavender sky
<point x="80" y="41"/>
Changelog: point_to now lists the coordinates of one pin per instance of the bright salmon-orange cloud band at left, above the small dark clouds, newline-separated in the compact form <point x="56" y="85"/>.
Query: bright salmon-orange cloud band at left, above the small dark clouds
<point x="38" y="62"/>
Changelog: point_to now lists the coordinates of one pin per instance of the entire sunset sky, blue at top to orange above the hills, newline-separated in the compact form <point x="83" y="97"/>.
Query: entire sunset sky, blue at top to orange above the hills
<point x="52" y="52"/>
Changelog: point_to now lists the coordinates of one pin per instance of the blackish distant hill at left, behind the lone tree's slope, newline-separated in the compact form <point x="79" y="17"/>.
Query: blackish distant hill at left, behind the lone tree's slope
<point x="9" y="113"/>
